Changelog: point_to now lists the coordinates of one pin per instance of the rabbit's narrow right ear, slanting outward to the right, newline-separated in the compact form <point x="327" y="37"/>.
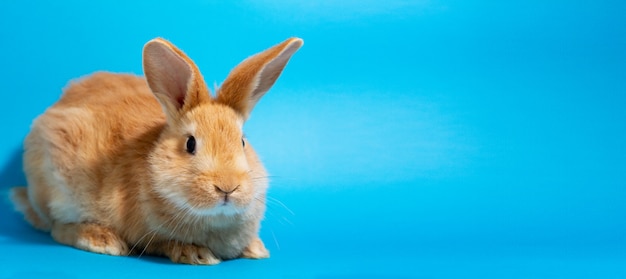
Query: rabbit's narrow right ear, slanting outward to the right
<point x="251" y="79"/>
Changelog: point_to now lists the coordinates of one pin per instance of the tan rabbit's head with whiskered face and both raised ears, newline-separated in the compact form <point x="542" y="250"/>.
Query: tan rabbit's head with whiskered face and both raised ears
<point x="202" y="163"/>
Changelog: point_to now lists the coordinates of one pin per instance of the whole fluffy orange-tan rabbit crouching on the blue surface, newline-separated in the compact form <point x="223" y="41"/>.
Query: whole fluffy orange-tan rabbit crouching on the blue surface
<point x="126" y="165"/>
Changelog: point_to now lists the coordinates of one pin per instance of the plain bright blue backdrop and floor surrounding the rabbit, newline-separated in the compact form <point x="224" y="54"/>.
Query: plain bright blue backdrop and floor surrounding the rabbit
<point x="406" y="139"/>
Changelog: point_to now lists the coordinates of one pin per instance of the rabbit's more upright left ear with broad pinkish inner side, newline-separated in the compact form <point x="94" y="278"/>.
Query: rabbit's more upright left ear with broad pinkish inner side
<point x="173" y="77"/>
